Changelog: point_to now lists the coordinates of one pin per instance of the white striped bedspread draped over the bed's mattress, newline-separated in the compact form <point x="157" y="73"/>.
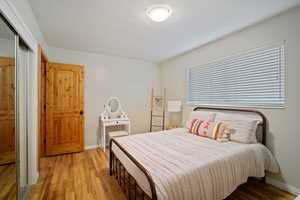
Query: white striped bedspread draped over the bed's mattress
<point x="184" y="166"/>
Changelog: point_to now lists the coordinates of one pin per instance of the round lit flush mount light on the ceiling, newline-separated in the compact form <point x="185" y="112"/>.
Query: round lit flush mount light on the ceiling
<point x="159" y="13"/>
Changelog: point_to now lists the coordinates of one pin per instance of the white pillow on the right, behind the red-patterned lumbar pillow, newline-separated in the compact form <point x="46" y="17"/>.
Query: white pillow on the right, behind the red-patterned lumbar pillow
<point x="243" y="128"/>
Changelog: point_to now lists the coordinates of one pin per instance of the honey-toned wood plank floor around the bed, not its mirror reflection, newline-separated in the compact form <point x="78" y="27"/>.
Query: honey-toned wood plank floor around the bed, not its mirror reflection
<point x="85" y="176"/>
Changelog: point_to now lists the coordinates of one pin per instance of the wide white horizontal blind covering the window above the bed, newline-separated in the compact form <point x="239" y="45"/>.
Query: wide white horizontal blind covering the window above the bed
<point x="255" y="78"/>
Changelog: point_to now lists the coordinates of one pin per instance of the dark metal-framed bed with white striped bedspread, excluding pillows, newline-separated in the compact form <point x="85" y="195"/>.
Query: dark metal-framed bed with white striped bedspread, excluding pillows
<point x="176" y="165"/>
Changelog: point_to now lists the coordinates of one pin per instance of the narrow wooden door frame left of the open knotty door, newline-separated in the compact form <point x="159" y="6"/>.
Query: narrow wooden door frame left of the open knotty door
<point x="42" y="57"/>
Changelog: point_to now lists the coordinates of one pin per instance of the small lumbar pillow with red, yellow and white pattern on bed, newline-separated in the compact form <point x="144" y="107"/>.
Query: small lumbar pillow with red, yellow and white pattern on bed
<point x="209" y="129"/>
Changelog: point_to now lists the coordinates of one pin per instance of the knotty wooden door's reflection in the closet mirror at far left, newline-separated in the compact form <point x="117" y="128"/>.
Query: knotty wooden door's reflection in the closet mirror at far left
<point x="7" y="110"/>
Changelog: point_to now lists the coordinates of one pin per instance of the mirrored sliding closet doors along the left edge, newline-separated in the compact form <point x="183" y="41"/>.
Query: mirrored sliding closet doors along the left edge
<point x="13" y="114"/>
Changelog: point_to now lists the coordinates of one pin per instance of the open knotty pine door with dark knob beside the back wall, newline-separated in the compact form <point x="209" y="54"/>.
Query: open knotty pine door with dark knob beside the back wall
<point x="64" y="108"/>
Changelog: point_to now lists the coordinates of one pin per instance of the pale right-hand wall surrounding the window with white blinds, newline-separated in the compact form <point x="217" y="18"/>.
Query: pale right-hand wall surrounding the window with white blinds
<point x="283" y="138"/>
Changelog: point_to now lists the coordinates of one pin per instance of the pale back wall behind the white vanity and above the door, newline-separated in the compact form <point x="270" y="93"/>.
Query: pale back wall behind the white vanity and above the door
<point x="106" y="76"/>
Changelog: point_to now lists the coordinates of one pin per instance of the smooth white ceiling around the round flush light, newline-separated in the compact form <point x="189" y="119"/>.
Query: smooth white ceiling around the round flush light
<point x="121" y="27"/>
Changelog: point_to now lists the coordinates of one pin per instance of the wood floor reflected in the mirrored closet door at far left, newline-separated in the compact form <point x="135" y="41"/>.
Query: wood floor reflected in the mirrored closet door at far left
<point x="7" y="182"/>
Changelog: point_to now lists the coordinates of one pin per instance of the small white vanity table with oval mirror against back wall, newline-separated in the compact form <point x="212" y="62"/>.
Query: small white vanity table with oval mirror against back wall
<point x="113" y="116"/>
